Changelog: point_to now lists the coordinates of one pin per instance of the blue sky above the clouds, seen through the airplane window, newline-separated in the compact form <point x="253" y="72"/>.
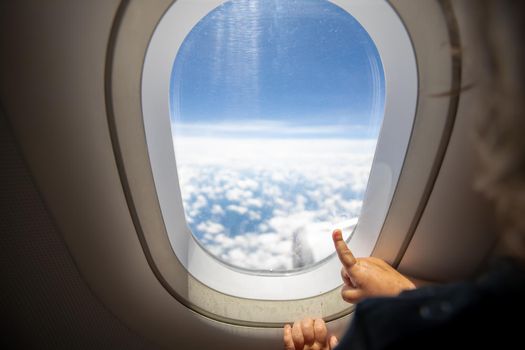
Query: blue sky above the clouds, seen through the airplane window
<point x="278" y="68"/>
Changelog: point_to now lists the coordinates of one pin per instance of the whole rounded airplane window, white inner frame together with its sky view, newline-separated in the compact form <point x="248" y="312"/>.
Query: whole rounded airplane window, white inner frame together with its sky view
<point x="268" y="124"/>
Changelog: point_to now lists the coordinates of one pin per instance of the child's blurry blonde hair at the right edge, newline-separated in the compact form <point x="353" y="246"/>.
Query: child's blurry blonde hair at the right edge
<point x="501" y="131"/>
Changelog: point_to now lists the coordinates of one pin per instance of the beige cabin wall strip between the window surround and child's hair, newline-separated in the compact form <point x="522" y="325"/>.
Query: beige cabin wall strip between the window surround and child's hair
<point x="456" y="231"/>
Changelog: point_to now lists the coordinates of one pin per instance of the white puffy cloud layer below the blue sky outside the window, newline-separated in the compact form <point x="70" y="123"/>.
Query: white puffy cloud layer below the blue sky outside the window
<point x="271" y="204"/>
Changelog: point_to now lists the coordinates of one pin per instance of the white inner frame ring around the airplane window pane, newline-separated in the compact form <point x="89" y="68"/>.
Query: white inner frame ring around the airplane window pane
<point x="397" y="55"/>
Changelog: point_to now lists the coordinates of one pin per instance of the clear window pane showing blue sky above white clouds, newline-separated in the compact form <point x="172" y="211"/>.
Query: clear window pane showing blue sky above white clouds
<point x="276" y="108"/>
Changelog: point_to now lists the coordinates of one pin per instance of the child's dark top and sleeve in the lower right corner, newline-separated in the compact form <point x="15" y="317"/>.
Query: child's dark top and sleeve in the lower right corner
<point x="462" y="315"/>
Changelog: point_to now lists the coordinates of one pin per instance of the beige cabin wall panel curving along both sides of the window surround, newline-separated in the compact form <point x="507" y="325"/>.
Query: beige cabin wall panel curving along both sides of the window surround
<point x="52" y="81"/>
